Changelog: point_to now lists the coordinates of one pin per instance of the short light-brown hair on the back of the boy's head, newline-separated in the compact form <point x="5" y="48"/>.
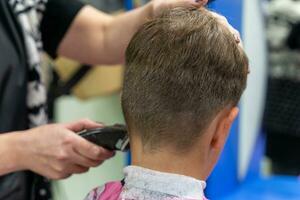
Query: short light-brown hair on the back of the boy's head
<point x="182" y="69"/>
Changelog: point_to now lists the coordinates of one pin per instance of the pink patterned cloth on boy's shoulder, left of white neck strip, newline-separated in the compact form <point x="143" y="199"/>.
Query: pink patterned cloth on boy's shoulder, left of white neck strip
<point x="109" y="191"/>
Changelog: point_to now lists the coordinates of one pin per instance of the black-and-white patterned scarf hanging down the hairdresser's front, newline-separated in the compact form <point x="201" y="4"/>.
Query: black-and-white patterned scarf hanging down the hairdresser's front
<point x="29" y="14"/>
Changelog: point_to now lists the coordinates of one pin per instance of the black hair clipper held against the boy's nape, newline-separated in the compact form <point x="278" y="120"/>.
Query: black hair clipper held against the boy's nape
<point x="110" y="137"/>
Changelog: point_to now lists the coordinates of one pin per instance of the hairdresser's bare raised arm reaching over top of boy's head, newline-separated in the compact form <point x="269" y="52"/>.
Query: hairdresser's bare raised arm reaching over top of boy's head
<point x="97" y="38"/>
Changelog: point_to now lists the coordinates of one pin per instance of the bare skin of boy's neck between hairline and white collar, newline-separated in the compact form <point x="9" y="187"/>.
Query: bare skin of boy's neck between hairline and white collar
<point x="189" y="164"/>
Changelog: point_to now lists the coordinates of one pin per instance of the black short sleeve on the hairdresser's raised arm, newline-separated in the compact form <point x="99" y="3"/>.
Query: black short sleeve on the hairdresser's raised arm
<point x="57" y="18"/>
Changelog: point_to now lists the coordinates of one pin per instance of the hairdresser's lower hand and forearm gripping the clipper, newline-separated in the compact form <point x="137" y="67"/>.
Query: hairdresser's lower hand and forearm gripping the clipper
<point x="51" y="150"/>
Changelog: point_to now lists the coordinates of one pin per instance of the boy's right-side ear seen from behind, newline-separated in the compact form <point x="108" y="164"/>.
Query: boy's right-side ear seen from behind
<point x="223" y="128"/>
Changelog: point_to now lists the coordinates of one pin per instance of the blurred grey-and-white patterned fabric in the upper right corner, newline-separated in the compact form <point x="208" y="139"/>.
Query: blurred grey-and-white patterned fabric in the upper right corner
<point x="281" y="15"/>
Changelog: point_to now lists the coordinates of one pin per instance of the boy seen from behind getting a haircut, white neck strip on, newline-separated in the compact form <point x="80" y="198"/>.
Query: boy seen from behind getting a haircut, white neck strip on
<point x="184" y="76"/>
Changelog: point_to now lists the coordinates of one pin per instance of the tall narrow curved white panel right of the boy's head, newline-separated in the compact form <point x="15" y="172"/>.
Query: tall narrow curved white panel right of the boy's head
<point x="253" y="98"/>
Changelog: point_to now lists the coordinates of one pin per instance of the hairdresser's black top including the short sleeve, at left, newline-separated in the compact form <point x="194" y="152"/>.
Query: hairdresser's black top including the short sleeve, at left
<point x="56" y="18"/>
